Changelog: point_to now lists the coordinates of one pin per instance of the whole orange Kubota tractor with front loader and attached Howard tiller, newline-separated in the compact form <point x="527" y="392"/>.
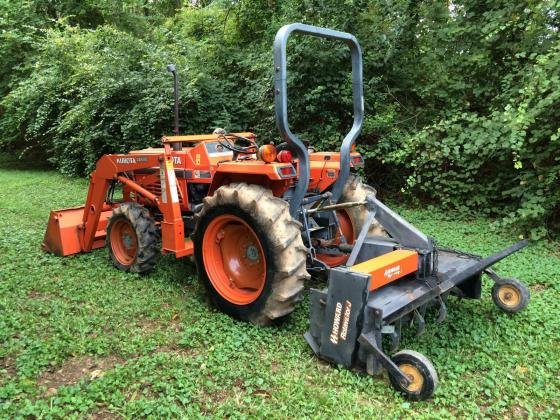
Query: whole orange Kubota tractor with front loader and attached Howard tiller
<point x="261" y="219"/>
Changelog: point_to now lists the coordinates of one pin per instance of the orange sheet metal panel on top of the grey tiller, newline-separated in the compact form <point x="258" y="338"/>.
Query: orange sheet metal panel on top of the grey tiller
<point x="388" y="267"/>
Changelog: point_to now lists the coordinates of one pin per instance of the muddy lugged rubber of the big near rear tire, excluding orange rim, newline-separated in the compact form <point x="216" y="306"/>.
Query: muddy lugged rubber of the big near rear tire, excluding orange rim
<point x="280" y="238"/>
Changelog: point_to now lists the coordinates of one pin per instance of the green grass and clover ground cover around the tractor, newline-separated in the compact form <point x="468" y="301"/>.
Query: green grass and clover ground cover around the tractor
<point x="115" y="344"/>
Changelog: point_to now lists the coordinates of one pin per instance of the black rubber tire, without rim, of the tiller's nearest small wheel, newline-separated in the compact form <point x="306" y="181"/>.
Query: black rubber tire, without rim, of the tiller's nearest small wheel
<point x="424" y="367"/>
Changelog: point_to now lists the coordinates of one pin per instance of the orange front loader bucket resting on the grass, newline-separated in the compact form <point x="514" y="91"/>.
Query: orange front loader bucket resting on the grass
<point x="64" y="231"/>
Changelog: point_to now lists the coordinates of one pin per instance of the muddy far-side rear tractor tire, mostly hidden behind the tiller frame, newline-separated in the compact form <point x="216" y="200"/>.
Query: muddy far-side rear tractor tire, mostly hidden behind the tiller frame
<point x="356" y="190"/>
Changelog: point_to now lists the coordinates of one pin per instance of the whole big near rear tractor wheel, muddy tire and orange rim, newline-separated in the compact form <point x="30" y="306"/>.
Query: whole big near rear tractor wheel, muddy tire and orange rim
<point x="249" y="253"/>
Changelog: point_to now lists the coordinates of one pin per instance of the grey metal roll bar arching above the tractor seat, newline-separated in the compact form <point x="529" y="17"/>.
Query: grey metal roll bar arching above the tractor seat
<point x="281" y="107"/>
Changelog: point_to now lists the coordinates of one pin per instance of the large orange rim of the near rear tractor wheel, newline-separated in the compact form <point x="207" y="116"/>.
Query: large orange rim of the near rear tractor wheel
<point x="234" y="259"/>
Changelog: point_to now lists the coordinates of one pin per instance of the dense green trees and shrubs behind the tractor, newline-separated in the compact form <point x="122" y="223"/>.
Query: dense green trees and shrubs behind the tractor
<point x="462" y="97"/>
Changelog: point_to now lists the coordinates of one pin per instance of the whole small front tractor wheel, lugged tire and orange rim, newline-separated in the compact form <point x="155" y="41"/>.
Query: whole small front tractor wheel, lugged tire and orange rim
<point x="132" y="238"/>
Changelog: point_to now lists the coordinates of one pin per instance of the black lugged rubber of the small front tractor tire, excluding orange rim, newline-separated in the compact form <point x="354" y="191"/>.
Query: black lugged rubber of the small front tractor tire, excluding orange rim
<point x="147" y="236"/>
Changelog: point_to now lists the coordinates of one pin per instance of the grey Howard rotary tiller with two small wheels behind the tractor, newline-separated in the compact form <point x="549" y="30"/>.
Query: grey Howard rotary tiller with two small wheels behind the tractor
<point x="395" y="280"/>
